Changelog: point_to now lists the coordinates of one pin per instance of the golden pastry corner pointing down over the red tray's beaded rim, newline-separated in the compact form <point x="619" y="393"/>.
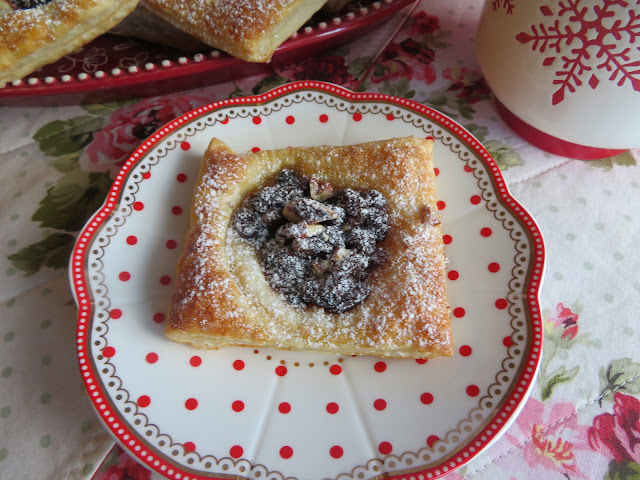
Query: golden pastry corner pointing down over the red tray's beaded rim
<point x="247" y="29"/>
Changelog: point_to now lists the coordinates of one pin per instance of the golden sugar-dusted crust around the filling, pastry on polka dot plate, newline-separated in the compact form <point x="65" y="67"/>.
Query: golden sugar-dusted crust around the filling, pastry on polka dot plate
<point x="222" y="297"/>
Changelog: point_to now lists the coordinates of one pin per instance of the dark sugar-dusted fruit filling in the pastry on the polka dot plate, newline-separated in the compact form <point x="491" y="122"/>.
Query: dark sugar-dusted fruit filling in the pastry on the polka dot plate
<point x="316" y="246"/>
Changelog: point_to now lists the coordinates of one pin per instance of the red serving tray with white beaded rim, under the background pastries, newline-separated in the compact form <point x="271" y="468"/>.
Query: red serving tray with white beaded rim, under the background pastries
<point x="116" y="68"/>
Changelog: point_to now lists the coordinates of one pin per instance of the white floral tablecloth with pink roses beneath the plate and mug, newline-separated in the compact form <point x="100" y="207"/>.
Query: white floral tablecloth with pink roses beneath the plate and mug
<point x="57" y="163"/>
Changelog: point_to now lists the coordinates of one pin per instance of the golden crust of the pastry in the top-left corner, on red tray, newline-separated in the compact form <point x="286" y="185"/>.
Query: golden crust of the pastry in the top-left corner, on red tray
<point x="32" y="38"/>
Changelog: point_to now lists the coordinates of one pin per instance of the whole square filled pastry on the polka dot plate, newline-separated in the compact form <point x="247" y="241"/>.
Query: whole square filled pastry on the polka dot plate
<point x="326" y="249"/>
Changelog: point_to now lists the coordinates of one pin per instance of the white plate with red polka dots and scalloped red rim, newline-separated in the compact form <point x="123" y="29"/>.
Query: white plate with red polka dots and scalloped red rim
<point x="246" y="413"/>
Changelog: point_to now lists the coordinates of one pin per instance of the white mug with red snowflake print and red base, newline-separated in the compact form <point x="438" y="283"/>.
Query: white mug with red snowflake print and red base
<point x="565" y="73"/>
